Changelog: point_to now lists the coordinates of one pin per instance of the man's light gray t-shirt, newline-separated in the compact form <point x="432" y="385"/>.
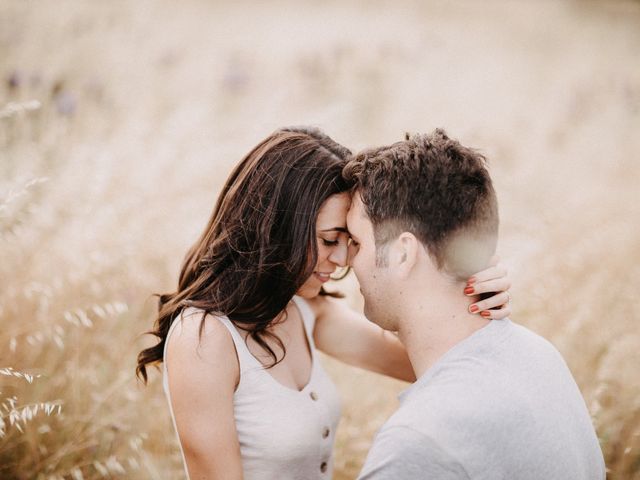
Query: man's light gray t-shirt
<point x="500" y="405"/>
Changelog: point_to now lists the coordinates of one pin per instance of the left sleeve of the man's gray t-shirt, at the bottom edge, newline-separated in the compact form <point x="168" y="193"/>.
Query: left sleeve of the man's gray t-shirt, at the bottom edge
<point x="400" y="452"/>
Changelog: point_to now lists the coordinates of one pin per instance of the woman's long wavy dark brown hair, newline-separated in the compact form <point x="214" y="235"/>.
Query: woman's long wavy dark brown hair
<point x="259" y="246"/>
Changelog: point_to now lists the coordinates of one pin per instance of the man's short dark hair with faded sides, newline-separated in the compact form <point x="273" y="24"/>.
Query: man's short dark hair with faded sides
<point x="429" y="185"/>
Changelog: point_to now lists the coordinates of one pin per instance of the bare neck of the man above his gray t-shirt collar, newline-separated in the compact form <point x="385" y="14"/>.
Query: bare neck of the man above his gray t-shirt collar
<point x="434" y="324"/>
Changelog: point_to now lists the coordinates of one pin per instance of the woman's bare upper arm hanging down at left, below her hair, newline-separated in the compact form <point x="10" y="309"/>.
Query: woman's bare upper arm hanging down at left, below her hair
<point x="203" y="375"/>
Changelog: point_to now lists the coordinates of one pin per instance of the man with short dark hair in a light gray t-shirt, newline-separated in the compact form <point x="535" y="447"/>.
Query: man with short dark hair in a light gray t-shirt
<point x="493" y="400"/>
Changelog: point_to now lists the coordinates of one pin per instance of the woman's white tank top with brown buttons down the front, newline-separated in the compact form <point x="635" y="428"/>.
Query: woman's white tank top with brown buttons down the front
<point x="284" y="434"/>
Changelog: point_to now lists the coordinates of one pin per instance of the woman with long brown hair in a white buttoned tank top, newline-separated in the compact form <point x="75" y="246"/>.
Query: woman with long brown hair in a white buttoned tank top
<point x="238" y="338"/>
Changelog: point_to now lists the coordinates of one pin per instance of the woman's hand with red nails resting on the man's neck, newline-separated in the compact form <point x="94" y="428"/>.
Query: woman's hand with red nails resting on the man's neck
<point x="494" y="279"/>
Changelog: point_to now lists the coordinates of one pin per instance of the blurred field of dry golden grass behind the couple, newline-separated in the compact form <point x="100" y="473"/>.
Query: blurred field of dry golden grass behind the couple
<point x="119" y="122"/>
